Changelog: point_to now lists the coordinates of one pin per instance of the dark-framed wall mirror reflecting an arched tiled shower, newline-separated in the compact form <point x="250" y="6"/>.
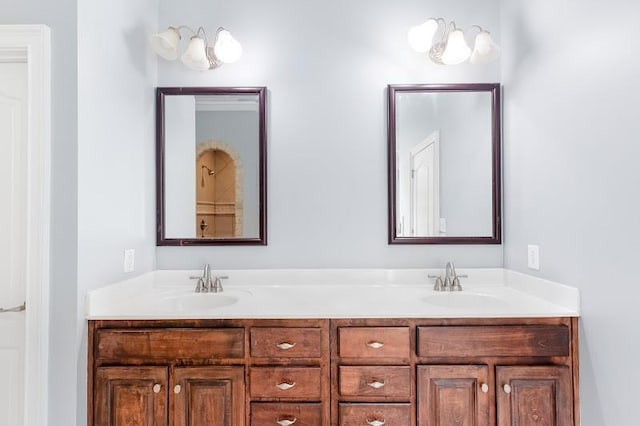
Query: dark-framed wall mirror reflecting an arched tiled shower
<point x="211" y="166"/>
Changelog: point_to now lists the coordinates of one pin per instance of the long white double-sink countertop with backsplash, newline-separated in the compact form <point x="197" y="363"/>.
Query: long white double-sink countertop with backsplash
<point x="334" y="293"/>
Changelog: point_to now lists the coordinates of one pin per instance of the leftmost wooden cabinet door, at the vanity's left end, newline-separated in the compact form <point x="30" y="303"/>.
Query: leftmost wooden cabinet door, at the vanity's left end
<point x="130" y="396"/>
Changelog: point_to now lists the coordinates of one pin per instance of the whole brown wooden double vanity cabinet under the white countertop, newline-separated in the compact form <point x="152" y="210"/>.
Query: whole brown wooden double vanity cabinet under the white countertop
<point x="338" y="372"/>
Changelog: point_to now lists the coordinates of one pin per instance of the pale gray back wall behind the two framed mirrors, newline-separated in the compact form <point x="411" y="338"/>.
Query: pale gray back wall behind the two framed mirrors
<point x="327" y="65"/>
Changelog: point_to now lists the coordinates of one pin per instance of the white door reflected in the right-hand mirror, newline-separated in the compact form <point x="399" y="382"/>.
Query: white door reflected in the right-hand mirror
<point x="425" y="183"/>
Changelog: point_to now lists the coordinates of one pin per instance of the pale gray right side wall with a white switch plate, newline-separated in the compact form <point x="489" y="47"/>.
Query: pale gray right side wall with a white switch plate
<point x="571" y="177"/>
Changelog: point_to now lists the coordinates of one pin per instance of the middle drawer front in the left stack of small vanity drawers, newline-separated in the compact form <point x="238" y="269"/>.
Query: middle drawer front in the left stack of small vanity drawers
<point x="286" y="382"/>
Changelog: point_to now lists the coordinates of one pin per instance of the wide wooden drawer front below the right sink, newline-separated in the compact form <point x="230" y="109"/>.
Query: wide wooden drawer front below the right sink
<point x="473" y="341"/>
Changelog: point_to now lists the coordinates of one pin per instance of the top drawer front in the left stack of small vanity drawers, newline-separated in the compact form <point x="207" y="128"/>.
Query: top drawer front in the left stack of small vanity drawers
<point x="274" y="342"/>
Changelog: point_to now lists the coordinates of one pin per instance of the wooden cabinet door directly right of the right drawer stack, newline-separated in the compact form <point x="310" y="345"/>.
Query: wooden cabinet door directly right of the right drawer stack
<point x="453" y="395"/>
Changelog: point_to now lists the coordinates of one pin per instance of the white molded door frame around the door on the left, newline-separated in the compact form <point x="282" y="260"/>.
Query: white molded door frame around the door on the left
<point x="61" y="17"/>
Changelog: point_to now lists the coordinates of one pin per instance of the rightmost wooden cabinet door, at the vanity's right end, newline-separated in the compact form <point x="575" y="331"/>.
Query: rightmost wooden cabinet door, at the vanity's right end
<point x="533" y="396"/>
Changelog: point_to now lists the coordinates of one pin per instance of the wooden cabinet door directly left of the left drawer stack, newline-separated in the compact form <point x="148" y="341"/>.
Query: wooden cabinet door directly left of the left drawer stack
<point x="208" y="396"/>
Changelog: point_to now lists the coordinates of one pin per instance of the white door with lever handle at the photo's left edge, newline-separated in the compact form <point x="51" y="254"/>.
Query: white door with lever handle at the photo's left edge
<point x="13" y="239"/>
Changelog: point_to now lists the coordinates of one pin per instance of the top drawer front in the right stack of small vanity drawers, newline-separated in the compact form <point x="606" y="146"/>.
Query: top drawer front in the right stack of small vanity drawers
<point x="374" y="342"/>
